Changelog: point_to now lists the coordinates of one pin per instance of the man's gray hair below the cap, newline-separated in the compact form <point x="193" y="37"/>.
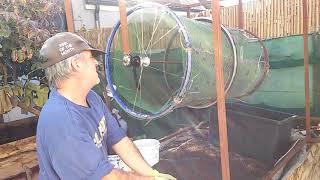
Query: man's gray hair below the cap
<point x="60" y="71"/>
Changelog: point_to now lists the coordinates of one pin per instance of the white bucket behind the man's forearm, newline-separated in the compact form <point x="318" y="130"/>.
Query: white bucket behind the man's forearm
<point x="149" y="149"/>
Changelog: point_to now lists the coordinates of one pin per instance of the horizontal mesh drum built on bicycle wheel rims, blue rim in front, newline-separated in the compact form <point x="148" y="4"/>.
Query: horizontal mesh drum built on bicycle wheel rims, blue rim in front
<point x="171" y="62"/>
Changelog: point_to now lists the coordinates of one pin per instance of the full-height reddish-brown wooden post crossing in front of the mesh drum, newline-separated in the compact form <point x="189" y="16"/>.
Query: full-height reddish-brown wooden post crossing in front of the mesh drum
<point x="223" y="134"/>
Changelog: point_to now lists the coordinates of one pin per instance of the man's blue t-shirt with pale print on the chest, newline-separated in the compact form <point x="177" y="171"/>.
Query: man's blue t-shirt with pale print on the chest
<point x="72" y="140"/>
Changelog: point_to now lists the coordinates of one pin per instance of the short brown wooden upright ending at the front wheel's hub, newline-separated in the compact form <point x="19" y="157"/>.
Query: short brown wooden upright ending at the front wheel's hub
<point x="124" y="27"/>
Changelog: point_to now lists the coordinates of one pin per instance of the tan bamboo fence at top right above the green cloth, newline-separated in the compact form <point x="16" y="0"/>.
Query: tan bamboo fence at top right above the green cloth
<point x="273" y="18"/>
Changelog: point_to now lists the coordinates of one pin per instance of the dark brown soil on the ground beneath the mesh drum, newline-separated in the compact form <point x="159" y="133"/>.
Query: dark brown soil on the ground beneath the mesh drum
<point x="188" y="155"/>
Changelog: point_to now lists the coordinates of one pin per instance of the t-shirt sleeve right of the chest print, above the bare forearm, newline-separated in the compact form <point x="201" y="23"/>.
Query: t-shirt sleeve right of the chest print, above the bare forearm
<point x="115" y="133"/>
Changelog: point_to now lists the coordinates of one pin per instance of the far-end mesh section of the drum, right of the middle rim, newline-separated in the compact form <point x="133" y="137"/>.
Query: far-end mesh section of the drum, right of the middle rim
<point x="252" y="63"/>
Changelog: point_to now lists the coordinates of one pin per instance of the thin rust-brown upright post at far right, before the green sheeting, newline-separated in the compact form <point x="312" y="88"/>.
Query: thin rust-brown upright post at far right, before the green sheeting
<point x="306" y="69"/>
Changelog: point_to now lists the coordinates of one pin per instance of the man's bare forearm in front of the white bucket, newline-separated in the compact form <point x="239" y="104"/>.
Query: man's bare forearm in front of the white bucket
<point x="132" y="157"/>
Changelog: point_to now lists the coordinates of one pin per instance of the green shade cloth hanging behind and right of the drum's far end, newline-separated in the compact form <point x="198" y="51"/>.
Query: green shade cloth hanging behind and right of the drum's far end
<point x="283" y="88"/>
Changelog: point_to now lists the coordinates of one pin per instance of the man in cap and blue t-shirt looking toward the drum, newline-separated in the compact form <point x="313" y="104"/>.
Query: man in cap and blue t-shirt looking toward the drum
<point x="75" y="128"/>
